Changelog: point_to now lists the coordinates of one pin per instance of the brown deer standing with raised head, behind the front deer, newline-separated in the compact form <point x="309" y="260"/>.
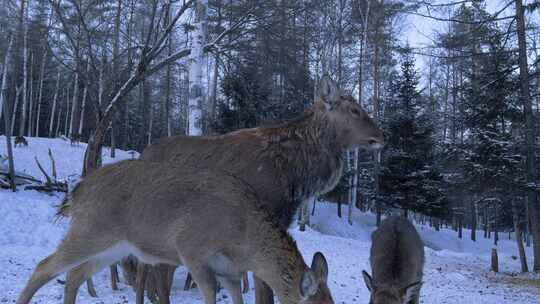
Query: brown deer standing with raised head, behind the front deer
<point x="286" y="164"/>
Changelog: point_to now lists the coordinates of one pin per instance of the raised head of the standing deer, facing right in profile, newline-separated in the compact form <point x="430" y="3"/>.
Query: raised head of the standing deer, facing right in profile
<point x="353" y="125"/>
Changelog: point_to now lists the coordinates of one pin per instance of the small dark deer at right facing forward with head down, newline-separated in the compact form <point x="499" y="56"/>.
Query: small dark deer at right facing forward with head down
<point x="397" y="263"/>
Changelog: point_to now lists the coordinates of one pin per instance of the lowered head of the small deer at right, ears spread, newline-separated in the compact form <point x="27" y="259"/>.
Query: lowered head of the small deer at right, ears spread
<point x="389" y="294"/>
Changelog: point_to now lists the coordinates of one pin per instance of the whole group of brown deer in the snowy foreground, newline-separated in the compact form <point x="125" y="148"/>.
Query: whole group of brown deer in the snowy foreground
<point x="221" y="206"/>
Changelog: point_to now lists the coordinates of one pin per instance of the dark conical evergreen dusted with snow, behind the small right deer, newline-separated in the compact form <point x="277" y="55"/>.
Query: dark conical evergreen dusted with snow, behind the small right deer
<point x="409" y="178"/>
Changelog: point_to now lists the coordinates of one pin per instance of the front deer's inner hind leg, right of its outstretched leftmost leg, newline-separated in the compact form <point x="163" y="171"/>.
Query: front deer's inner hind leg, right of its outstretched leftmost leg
<point x="79" y="274"/>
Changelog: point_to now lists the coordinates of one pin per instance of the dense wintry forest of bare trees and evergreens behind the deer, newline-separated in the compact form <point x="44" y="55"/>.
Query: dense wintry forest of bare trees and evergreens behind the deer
<point x="461" y="114"/>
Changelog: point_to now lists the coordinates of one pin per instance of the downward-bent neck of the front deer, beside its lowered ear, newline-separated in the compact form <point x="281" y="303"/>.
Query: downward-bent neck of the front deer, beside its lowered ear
<point x="278" y="262"/>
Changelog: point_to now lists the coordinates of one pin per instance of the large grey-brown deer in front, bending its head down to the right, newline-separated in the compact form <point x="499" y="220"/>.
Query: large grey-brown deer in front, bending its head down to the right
<point x="211" y="222"/>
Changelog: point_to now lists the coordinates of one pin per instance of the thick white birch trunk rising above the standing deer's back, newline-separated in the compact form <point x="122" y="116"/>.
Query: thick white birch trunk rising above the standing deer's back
<point x="196" y="90"/>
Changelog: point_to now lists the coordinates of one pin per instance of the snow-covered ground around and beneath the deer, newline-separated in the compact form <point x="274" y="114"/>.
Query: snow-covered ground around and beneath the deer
<point x="457" y="271"/>
